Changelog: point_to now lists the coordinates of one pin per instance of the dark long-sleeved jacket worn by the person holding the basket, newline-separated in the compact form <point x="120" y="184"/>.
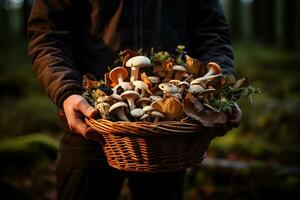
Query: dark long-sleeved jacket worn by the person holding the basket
<point x="68" y="38"/>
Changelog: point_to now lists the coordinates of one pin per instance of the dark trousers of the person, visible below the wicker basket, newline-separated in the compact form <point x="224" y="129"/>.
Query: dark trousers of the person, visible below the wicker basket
<point x="91" y="183"/>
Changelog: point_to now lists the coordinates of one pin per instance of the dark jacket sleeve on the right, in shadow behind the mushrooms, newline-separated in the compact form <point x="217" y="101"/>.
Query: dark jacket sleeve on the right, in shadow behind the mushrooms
<point x="209" y="32"/>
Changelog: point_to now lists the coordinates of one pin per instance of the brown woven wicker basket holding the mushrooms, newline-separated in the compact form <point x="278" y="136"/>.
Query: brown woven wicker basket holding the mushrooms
<point x="152" y="147"/>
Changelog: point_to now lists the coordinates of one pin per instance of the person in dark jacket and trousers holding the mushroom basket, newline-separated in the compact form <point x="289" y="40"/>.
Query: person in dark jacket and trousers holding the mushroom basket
<point x="69" y="38"/>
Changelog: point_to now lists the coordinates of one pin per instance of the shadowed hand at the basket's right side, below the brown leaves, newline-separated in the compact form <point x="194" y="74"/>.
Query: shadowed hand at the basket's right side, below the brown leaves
<point x="233" y="122"/>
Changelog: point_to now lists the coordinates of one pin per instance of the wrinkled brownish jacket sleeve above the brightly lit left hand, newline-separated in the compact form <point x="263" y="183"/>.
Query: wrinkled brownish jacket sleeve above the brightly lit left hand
<point x="50" y="47"/>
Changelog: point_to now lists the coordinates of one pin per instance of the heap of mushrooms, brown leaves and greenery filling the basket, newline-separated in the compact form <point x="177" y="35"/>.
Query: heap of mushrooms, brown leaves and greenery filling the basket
<point x="158" y="87"/>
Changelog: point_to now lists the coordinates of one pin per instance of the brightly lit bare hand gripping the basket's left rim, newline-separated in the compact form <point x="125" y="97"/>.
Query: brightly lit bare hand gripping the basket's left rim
<point x="76" y="108"/>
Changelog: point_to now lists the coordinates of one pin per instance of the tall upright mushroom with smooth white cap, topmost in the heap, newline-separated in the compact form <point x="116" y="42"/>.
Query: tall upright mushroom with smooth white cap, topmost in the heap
<point x="136" y="62"/>
